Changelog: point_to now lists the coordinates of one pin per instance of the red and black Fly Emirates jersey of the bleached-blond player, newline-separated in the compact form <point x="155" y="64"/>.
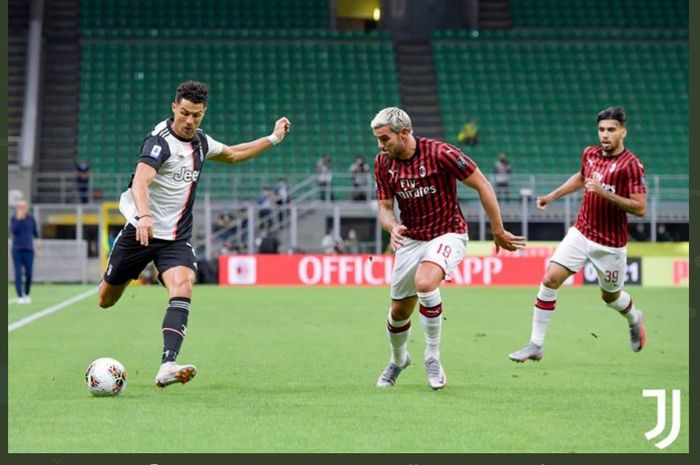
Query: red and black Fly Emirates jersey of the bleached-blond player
<point x="425" y="187"/>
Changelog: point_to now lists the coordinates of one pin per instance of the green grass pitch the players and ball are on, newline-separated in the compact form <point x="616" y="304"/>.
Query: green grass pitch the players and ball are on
<point x="293" y="370"/>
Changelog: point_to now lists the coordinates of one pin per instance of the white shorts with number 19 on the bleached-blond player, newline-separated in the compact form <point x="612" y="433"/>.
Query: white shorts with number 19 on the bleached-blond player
<point x="446" y="251"/>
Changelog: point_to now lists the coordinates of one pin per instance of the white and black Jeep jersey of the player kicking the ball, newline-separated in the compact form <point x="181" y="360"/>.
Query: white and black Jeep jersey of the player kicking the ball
<point x="179" y="164"/>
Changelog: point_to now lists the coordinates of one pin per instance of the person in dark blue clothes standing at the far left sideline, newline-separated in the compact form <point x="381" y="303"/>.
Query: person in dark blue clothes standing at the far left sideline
<point x="24" y="232"/>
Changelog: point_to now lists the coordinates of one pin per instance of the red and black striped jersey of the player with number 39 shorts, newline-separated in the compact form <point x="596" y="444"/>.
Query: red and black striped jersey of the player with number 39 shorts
<point x="598" y="219"/>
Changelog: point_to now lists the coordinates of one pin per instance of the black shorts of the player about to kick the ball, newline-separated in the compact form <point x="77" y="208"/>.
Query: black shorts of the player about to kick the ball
<point x="128" y="257"/>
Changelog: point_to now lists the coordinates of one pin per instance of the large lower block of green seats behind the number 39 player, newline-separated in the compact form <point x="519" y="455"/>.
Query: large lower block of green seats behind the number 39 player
<point x="536" y="96"/>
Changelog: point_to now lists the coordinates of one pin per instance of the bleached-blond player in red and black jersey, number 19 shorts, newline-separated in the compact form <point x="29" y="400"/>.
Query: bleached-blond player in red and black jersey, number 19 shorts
<point x="431" y="237"/>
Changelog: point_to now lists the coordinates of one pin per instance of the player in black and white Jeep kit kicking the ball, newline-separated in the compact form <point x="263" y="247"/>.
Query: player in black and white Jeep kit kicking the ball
<point x="158" y="207"/>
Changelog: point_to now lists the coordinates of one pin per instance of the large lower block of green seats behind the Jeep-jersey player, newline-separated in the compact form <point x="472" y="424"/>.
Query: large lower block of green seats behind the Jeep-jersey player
<point x="330" y="90"/>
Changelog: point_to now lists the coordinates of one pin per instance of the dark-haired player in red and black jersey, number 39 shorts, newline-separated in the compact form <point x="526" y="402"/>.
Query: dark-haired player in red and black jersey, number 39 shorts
<point x="613" y="179"/>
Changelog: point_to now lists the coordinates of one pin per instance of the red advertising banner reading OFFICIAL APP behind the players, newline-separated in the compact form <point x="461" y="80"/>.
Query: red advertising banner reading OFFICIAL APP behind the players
<point x="373" y="270"/>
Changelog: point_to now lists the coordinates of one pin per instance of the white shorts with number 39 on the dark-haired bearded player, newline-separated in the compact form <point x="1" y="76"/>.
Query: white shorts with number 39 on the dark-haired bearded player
<point x="610" y="263"/>
